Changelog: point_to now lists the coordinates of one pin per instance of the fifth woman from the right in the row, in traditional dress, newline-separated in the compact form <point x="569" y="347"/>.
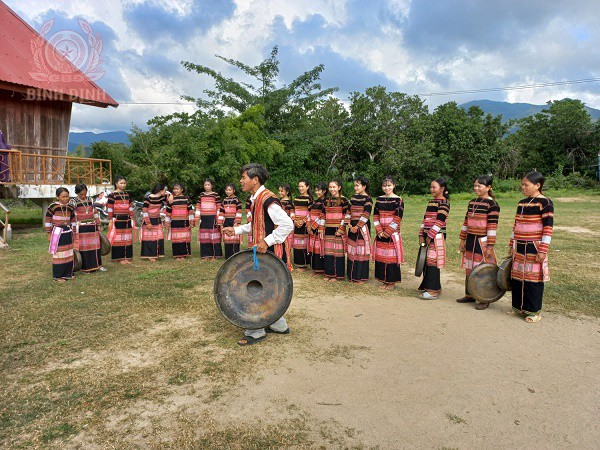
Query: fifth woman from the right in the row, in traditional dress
<point x="359" y="232"/>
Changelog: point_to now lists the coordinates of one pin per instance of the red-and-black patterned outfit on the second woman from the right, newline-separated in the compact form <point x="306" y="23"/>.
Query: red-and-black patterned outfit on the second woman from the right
<point x="479" y="232"/>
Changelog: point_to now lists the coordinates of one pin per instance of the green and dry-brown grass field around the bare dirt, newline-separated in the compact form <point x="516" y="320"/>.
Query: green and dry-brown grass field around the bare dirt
<point x="52" y="396"/>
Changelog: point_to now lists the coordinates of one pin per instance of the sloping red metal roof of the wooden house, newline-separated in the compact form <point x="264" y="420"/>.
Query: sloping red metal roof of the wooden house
<point x="28" y="61"/>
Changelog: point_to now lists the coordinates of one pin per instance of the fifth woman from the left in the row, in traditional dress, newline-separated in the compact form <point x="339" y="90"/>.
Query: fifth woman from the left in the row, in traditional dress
<point x="180" y="216"/>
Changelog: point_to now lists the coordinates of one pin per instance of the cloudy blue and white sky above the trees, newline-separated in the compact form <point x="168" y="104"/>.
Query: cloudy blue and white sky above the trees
<point x="418" y="47"/>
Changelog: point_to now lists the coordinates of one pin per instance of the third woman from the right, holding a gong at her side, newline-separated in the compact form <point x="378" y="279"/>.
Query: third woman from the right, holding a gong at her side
<point x="433" y="234"/>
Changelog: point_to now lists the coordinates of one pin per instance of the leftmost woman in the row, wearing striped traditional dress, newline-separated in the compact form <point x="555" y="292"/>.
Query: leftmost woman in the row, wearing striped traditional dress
<point x="60" y="221"/>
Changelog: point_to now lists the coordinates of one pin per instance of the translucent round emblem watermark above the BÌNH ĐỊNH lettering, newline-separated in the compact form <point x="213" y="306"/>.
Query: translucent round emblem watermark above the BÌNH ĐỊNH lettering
<point x="82" y="51"/>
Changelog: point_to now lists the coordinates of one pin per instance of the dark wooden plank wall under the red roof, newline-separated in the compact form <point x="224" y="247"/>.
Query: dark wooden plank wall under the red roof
<point x="35" y="126"/>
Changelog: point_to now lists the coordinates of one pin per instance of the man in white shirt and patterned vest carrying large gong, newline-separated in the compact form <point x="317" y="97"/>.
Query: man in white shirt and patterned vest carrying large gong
<point x="270" y="228"/>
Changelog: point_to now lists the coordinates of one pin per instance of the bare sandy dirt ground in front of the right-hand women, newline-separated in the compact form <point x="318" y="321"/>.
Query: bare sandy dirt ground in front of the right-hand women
<point x="397" y="372"/>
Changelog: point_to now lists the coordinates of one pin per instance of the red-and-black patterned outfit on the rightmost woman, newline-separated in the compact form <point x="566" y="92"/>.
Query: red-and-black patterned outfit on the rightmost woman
<point x="532" y="234"/>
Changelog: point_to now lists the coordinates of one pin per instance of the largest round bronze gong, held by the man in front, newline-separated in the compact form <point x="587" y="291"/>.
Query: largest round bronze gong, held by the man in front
<point x="252" y="298"/>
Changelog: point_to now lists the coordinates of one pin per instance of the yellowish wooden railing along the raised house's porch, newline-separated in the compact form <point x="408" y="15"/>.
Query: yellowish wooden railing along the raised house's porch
<point x="17" y="167"/>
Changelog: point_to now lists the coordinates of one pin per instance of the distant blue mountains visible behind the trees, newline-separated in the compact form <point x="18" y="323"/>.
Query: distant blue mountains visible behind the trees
<point x="509" y="111"/>
